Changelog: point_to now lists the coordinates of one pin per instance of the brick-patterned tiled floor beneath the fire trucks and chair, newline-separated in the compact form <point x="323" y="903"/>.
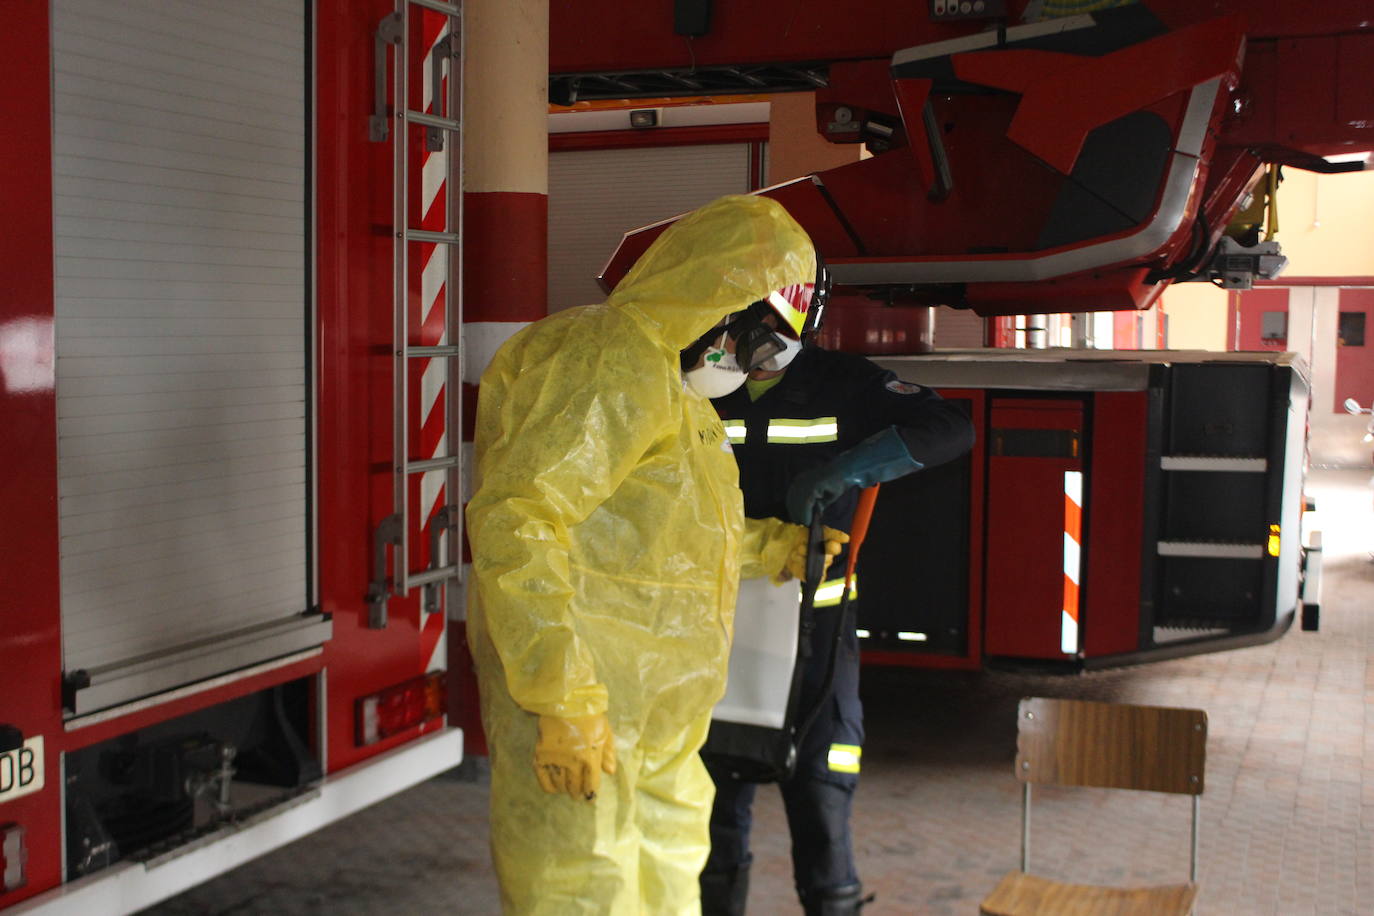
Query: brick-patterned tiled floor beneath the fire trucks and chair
<point x="1288" y="819"/>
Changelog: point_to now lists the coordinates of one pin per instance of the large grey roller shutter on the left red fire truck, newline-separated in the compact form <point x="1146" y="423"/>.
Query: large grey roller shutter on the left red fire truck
<point x="179" y="185"/>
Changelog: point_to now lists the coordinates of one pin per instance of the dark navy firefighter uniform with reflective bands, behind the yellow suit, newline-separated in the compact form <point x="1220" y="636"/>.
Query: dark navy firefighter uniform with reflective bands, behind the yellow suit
<point x="809" y="429"/>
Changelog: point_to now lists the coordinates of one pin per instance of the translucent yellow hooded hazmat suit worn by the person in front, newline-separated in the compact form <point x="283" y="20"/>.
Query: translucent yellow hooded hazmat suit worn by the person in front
<point x="608" y="539"/>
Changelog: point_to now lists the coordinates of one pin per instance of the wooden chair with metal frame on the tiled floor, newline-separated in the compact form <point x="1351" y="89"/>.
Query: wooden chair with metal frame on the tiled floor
<point x="1112" y="746"/>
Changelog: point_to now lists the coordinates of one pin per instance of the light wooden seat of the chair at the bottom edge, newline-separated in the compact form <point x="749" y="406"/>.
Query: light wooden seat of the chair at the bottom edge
<point x="1023" y="895"/>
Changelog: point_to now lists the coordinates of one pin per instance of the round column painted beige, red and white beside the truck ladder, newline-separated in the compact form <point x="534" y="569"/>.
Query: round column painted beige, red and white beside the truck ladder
<point x="505" y="229"/>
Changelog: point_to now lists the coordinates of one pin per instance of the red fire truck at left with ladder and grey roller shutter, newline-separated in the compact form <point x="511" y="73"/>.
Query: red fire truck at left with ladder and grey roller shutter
<point x="230" y="501"/>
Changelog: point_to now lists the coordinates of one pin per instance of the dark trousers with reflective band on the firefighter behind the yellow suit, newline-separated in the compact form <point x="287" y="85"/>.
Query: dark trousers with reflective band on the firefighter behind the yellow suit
<point x="820" y="796"/>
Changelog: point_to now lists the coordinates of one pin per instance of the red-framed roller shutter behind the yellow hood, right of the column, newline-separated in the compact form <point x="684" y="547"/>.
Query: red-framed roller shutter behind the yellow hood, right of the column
<point x="598" y="196"/>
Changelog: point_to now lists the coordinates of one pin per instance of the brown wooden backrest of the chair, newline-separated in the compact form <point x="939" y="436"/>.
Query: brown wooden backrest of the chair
<point x="1112" y="745"/>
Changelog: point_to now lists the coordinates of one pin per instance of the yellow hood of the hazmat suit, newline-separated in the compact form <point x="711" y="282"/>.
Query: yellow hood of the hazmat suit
<point x="715" y="262"/>
